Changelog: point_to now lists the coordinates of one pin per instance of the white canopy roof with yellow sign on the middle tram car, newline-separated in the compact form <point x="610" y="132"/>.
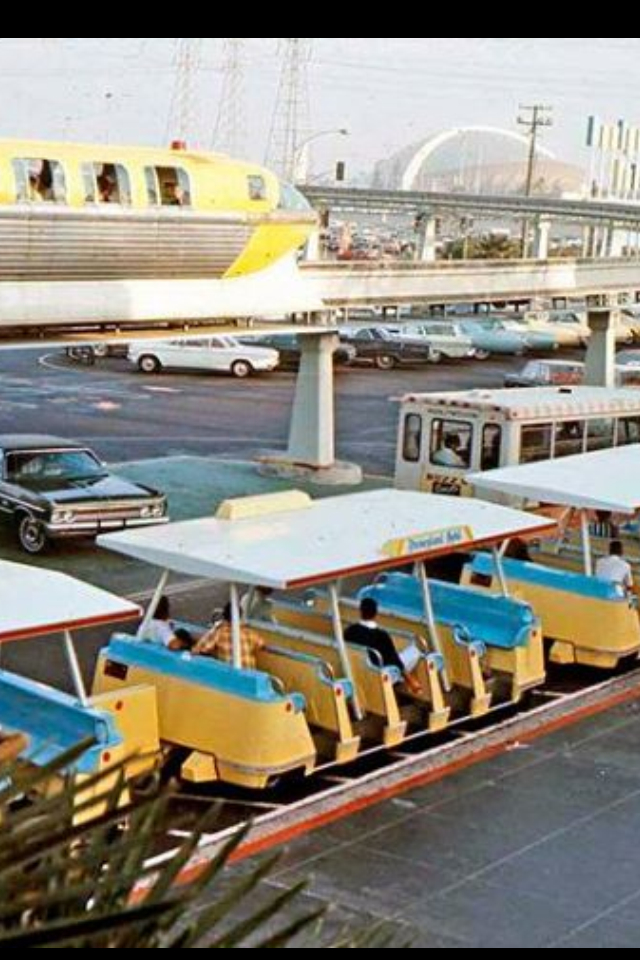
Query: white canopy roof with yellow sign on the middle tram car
<point x="325" y="540"/>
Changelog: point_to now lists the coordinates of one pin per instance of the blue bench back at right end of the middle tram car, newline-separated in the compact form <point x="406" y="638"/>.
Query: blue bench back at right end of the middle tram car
<point x="500" y="622"/>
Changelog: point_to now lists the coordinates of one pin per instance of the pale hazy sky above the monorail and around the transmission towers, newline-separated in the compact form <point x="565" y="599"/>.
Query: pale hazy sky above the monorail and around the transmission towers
<point x="389" y="91"/>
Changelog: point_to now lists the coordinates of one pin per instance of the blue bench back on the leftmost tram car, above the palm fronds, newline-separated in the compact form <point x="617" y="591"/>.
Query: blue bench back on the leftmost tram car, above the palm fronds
<point x="55" y="723"/>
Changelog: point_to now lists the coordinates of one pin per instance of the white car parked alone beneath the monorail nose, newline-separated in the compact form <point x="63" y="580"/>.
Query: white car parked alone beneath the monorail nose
<point x="213" y="354"/>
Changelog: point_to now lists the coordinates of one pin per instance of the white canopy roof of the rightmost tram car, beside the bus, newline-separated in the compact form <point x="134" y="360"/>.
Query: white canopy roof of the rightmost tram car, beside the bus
<point x="608" y="480"/>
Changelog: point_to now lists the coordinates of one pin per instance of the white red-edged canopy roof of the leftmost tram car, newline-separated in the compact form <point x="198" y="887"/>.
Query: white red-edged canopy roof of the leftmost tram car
<point x="35" y="602"/>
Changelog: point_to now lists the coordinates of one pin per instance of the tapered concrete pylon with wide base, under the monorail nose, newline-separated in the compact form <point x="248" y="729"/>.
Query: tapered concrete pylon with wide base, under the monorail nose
<point x="311" y="452"/>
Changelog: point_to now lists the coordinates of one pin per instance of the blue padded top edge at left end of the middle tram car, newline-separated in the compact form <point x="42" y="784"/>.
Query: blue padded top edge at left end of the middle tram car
<point x="129" y="652"/>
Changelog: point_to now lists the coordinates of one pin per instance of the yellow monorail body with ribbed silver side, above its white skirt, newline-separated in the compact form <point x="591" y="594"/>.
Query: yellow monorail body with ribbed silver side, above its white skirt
<point x="73" y="213"/>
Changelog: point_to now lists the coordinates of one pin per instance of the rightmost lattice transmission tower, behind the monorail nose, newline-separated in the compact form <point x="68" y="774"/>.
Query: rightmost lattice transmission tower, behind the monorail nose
<point x="290" y="123"/>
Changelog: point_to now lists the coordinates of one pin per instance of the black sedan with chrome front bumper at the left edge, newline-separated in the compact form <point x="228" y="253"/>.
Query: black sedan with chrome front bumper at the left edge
<point x="51" y="489"/>
